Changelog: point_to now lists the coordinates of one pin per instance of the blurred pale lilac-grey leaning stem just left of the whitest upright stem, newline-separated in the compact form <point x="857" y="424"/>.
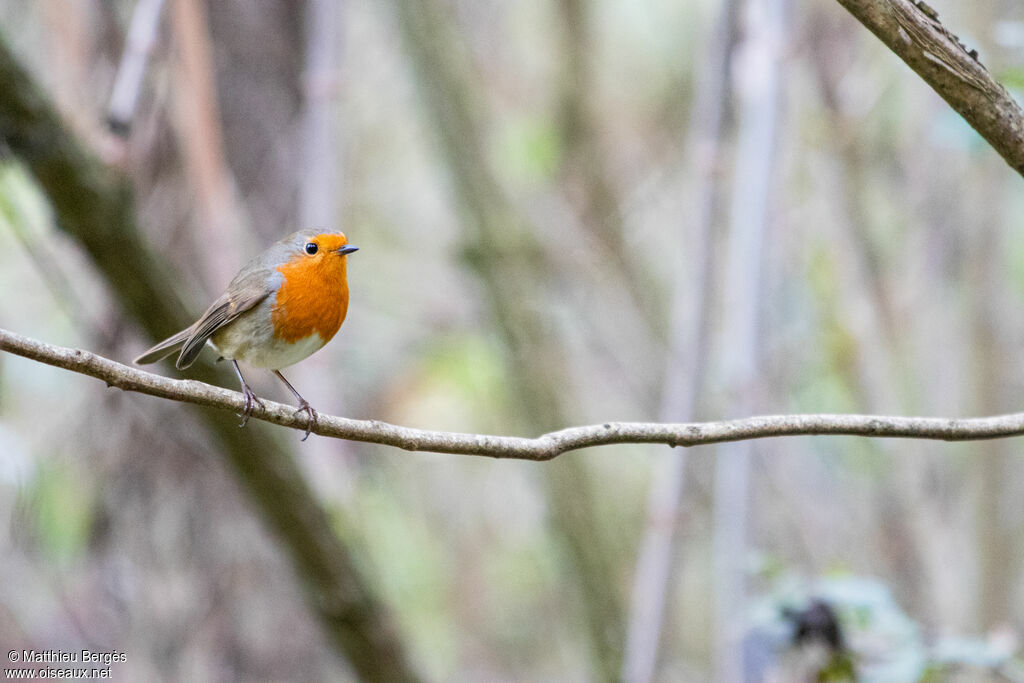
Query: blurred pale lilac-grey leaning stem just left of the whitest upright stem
<point x="688" y="353"/>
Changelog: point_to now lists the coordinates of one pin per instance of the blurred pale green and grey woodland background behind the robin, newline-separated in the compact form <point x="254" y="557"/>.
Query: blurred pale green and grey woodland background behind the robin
<point x="525" y="182"/>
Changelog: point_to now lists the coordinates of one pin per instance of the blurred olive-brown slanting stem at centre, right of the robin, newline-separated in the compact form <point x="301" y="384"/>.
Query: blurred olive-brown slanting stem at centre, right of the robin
<point x="514" y="269"/>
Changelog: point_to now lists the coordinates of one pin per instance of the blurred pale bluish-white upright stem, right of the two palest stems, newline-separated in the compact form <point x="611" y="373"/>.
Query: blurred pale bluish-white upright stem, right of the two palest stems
<point x="758" y="91"/>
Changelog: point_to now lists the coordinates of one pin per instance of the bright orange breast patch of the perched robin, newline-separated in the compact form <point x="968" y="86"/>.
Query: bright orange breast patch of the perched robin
<point x="314" y="297"/>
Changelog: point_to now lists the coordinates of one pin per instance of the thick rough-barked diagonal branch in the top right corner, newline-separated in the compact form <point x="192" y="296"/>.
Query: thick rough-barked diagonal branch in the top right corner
<point x="914" y="32"/>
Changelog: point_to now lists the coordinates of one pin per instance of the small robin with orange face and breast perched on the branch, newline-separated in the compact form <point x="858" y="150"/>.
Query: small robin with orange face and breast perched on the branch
<point x="283" y="306"/>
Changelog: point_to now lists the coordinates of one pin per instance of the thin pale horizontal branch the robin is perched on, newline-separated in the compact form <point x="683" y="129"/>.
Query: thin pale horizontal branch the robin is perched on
<point x="542" y="448"/>
